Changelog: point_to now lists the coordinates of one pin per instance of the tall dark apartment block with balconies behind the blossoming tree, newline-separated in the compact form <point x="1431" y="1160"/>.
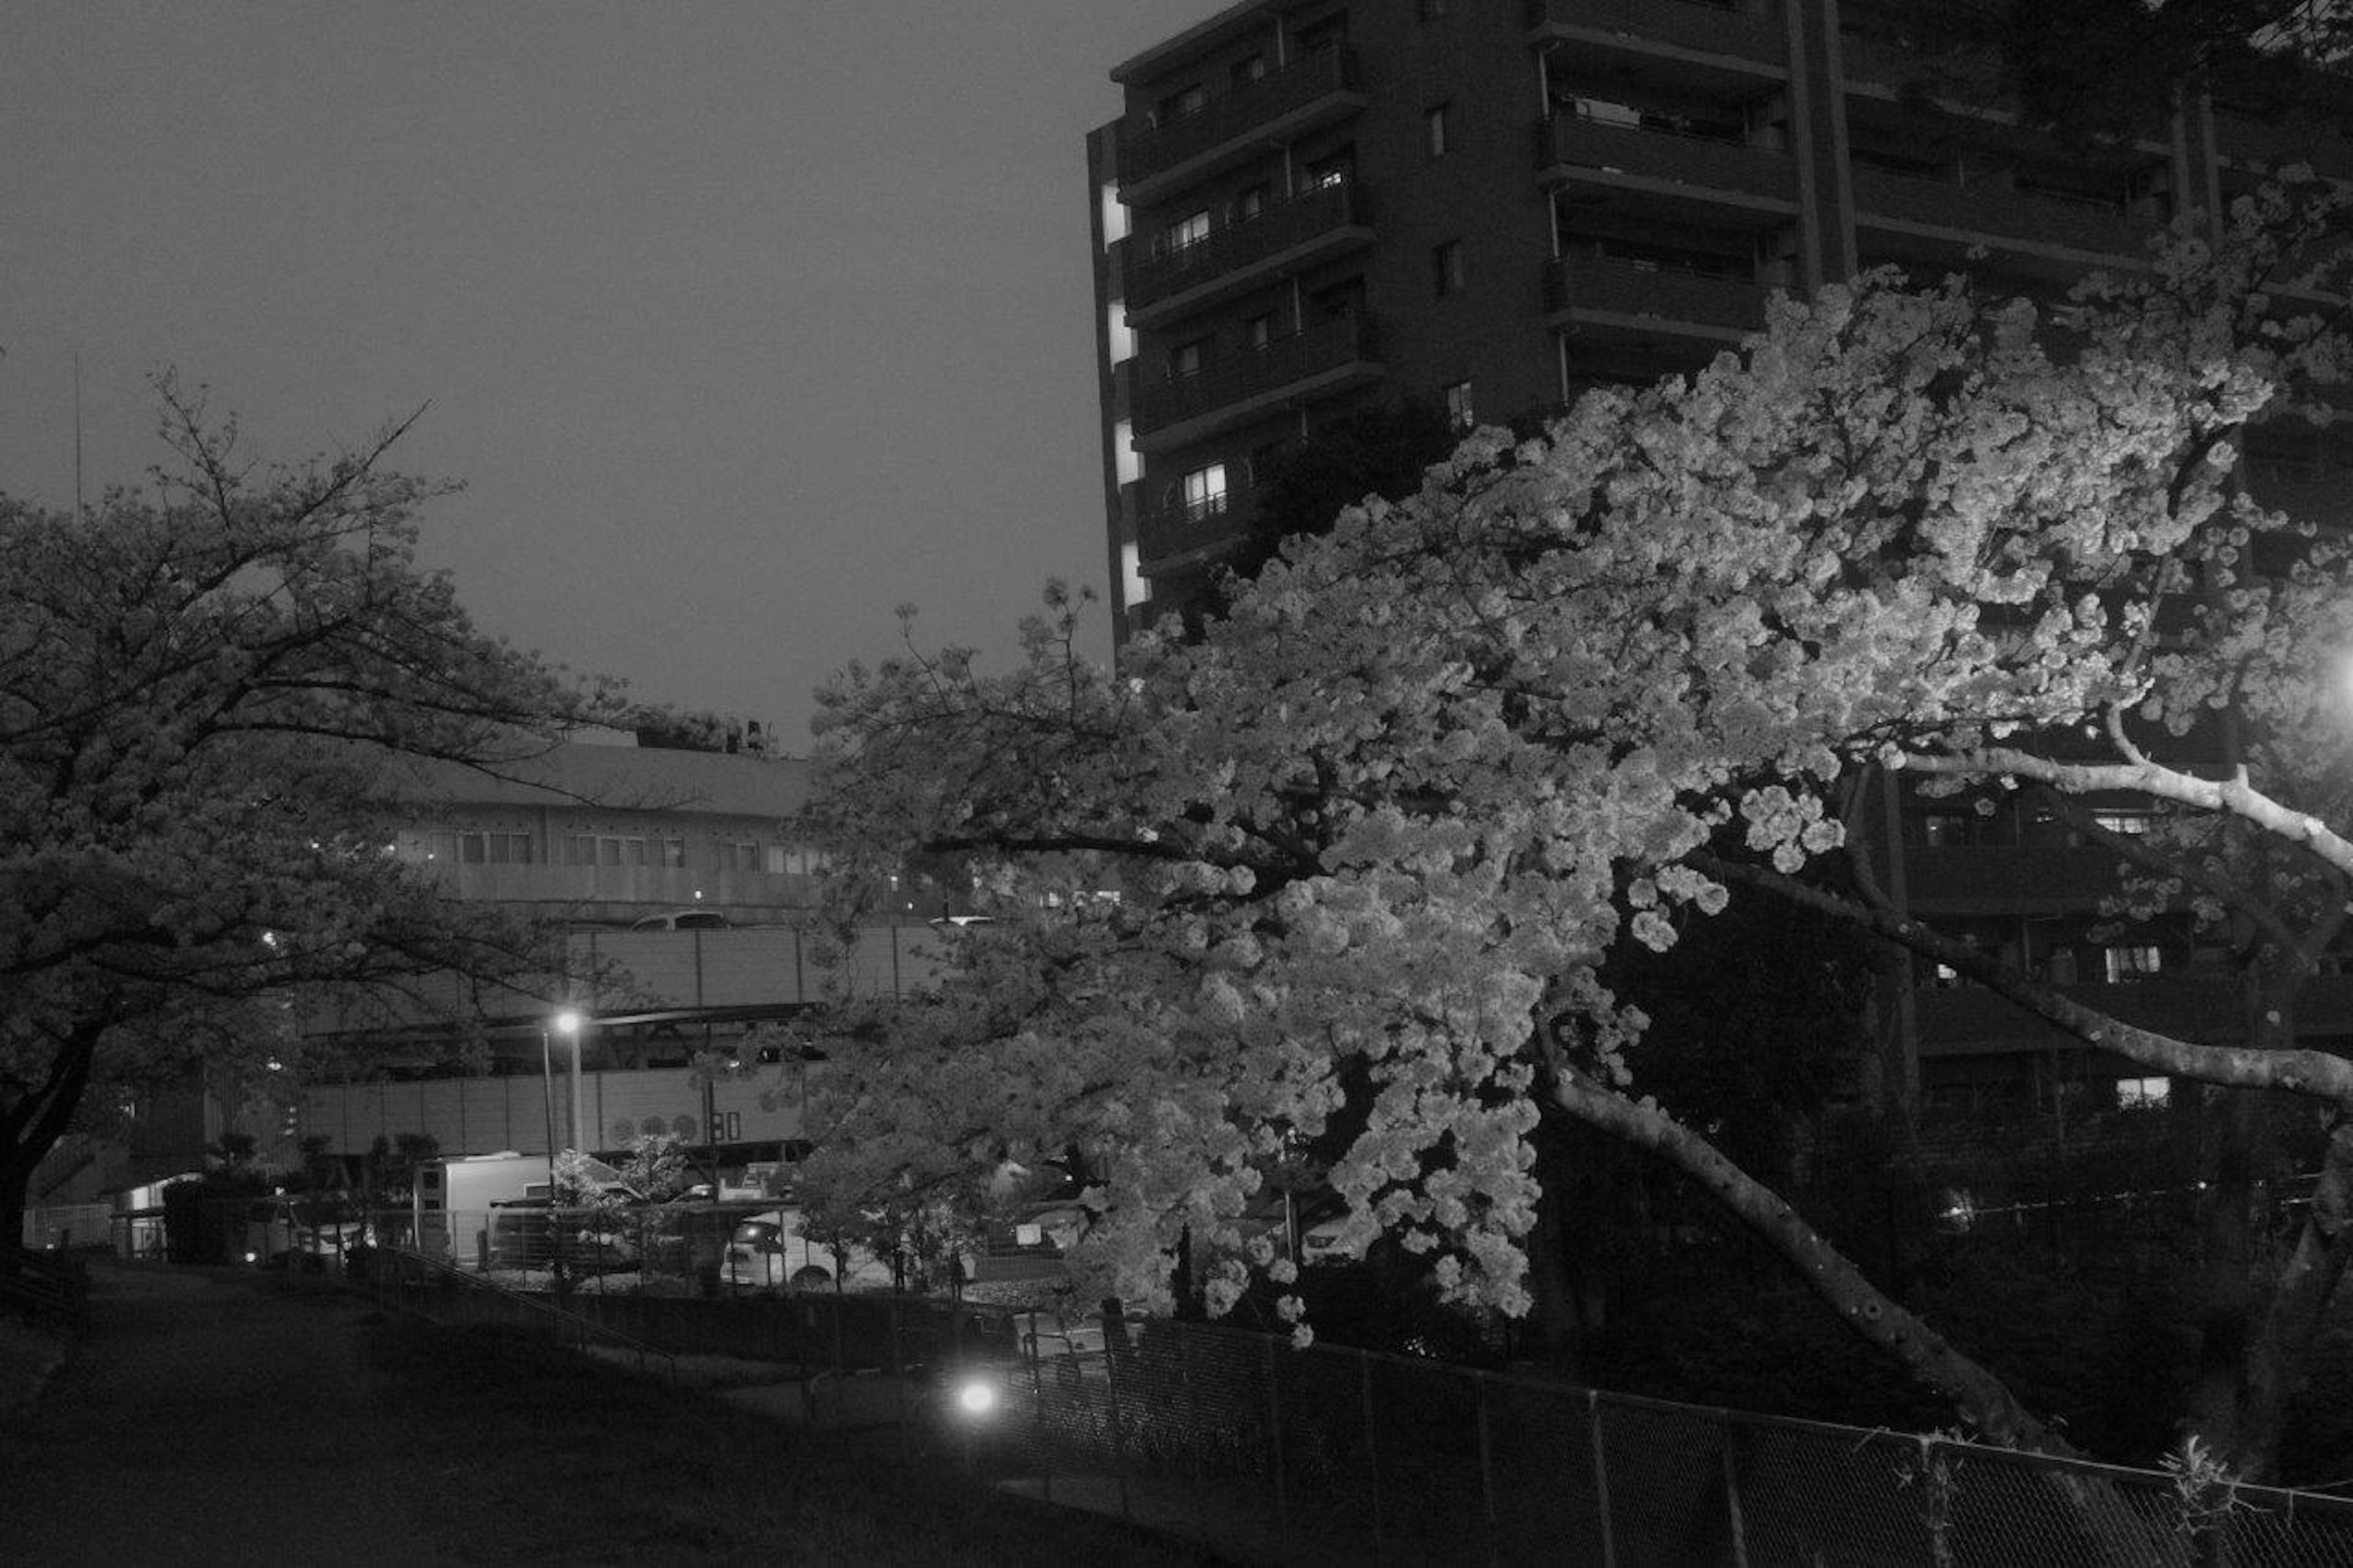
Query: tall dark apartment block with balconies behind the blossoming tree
<point x="1493" y="206"/>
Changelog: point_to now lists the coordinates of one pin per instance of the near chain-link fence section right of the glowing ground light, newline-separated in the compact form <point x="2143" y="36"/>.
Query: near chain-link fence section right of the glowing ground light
<point x="1352" y="1456"/>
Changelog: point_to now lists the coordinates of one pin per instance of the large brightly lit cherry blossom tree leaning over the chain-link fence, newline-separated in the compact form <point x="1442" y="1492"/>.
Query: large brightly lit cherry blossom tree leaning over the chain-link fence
<point x="1368" y="839"/>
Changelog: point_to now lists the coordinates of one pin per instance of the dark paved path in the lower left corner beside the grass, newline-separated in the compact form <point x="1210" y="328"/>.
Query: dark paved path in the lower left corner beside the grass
<point x="213" y="1418"/>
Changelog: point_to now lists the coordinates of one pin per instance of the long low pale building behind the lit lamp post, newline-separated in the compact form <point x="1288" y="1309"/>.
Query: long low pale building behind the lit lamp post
<point x="676" y="891"/>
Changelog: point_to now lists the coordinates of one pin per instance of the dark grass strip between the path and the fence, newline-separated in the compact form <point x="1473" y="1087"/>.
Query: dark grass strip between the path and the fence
<point x="535" y="1456"/>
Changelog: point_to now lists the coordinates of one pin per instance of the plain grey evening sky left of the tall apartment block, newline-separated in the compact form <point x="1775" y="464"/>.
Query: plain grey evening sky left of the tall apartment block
<point x="742" y="324"/>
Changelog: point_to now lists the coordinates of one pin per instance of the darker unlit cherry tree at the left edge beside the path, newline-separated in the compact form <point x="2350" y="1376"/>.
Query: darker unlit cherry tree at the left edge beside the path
<point x="208" y="698"/>
